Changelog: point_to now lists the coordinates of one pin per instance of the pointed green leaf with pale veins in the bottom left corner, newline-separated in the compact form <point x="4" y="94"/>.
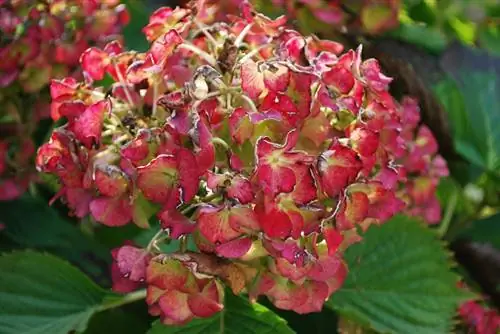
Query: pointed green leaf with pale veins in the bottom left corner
<point x="42" y="294"/>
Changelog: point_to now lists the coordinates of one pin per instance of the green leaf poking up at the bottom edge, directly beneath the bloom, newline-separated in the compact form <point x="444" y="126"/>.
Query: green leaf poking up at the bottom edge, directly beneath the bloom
<point x="239" y="316"/>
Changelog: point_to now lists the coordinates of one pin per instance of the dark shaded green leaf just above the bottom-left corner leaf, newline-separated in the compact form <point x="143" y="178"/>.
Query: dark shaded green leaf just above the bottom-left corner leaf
<point x="31" y="223"/>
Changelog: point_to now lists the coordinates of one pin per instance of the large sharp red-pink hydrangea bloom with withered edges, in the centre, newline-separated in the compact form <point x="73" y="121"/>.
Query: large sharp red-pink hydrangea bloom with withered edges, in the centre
<point x="268" y="149"/>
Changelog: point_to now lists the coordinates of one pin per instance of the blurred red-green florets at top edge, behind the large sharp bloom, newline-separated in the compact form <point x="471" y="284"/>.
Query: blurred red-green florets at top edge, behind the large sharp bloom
<point x="319" y="16"/>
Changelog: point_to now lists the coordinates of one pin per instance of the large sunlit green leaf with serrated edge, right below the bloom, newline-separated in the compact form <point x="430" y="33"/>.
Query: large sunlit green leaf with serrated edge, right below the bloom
<point x="399" y="281"/>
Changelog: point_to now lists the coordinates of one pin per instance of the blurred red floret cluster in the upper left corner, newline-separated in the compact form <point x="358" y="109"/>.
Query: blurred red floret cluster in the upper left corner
<point x="41" y="40"/>
